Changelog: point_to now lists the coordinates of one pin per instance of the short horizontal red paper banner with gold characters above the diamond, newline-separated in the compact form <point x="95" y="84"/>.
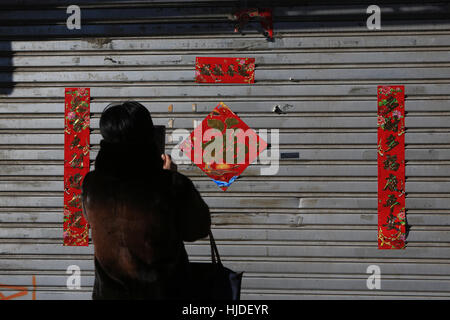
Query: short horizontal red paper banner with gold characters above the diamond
<point x="224" y="70"/>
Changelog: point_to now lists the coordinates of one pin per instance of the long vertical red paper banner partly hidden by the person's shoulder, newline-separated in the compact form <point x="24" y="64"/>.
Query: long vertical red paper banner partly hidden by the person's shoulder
<point x="76" y="164"/>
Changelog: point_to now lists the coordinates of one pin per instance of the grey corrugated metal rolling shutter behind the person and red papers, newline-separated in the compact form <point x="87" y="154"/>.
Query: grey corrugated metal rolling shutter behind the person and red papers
<point x="308" y="232"/>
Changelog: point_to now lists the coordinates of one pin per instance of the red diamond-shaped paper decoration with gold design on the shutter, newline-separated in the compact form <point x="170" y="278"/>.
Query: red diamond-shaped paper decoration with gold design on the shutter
<point x="243" y="151"/>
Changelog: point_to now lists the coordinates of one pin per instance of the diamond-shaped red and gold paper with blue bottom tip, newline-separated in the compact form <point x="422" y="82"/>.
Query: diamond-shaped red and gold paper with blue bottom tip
<point x="222" y="118"/>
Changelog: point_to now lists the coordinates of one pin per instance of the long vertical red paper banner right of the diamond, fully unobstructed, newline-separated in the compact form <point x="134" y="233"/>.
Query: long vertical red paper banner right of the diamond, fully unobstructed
<point x="391" y="167"/>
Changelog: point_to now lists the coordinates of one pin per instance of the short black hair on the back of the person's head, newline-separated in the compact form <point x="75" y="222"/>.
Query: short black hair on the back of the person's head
<point x="126" y="122"/>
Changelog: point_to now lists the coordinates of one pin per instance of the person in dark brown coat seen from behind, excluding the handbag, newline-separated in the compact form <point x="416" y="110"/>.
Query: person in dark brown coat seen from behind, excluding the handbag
<point x="140" y="211"/>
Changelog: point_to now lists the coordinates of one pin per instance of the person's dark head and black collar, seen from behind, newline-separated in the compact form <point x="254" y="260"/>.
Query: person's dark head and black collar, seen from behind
<point x="128" y="147"/>
